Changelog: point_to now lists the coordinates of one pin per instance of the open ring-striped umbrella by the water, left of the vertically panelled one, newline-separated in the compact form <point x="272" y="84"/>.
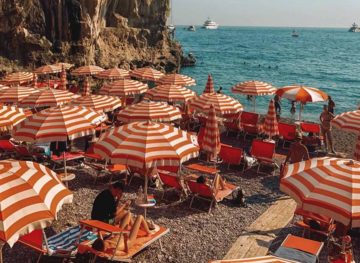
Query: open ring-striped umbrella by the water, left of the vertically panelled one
<point x="253" y="88"/>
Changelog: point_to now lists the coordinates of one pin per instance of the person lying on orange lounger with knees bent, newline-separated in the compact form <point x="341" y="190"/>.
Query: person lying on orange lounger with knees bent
<point x="107" y="245"/>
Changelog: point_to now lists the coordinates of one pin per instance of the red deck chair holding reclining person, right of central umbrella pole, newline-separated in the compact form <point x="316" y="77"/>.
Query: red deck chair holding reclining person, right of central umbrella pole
<point x="207" y="193"/>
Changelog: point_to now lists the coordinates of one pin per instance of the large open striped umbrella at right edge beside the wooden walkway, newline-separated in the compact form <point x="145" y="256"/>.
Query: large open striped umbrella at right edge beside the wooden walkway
<point x="326" y="186"/>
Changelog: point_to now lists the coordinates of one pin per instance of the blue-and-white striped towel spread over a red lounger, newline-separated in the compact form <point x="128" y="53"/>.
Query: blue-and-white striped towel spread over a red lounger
<point x="66" y="241"/>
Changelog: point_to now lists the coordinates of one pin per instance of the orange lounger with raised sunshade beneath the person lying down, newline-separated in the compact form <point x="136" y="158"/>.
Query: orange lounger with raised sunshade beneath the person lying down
<point x="142" y="241"/>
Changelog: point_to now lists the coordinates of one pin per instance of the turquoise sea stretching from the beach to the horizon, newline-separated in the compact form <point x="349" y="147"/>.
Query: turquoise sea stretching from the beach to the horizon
<point x="327" y="59"/>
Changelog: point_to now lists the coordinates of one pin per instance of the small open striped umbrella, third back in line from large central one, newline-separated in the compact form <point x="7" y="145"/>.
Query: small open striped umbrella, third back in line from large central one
<point x="124" y="87"/>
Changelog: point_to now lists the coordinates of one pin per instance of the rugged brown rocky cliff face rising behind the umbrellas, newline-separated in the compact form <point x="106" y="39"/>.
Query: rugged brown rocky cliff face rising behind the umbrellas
<point x="104" y="32"/>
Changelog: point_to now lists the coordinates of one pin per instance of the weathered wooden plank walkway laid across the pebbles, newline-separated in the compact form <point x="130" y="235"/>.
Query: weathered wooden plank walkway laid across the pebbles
<point x="256" y="239"/>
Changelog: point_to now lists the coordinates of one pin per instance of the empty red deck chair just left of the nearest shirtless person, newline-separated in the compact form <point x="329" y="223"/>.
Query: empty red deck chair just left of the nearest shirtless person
<point x="263" y="151"/>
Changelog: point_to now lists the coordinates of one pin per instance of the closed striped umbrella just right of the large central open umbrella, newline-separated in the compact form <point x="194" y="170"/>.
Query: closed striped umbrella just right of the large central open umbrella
<point x="211" y="140"/>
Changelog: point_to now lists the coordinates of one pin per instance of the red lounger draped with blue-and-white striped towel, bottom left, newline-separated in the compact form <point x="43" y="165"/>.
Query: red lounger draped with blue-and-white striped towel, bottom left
<point x="63" y="244"/>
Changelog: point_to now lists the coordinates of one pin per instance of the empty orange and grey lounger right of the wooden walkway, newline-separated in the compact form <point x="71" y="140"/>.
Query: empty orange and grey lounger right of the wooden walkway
<point x="299" y="249"/>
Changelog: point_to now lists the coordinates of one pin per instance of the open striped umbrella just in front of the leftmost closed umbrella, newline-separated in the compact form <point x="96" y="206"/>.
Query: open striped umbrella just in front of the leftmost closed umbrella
<point x="47" y="98"/>
